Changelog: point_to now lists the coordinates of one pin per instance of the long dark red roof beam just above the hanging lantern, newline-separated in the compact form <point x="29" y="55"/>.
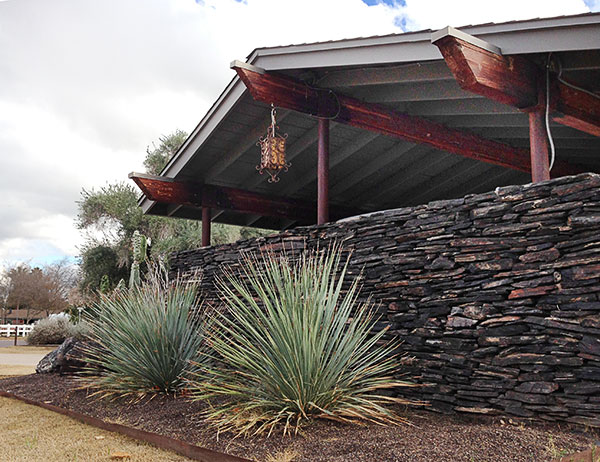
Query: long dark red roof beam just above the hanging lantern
<point x="293" y="94"/>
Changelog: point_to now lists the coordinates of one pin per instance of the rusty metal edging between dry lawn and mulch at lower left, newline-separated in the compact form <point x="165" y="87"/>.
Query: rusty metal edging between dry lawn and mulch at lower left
<point x="160" y="441"/>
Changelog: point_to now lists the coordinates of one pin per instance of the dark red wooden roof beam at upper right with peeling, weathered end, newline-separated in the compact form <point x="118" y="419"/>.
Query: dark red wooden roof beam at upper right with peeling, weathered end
<point x="514" y="80"/>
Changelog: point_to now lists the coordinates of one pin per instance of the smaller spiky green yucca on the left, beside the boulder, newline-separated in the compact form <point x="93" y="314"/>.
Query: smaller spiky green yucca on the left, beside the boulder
<point x="147" y="338"/>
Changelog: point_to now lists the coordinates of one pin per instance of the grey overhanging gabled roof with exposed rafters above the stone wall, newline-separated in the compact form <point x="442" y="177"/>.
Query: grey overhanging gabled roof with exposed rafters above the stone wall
<point x="404" y="72"/>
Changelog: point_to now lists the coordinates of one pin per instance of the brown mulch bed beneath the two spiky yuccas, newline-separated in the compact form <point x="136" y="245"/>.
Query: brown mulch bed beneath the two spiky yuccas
<point x="434" y="437"/>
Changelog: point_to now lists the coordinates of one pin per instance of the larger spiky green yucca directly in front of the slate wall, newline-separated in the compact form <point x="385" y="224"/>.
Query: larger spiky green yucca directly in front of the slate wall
<point x="302" y="349"/>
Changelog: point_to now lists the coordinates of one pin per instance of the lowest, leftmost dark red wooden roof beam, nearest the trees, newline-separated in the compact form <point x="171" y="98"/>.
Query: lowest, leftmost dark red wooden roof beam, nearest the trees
<point x="170" y="191"/>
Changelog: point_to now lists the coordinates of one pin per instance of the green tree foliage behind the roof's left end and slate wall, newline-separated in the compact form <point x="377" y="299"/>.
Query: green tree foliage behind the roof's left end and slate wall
<point x="109" y="216"/>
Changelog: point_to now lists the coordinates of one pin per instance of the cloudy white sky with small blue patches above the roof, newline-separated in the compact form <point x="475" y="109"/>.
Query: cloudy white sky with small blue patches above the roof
<point x="87" y="85"/>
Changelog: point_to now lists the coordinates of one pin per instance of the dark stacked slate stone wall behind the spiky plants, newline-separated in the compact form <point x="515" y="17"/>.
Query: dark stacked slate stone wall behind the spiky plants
<point x="496" y="296"/>
